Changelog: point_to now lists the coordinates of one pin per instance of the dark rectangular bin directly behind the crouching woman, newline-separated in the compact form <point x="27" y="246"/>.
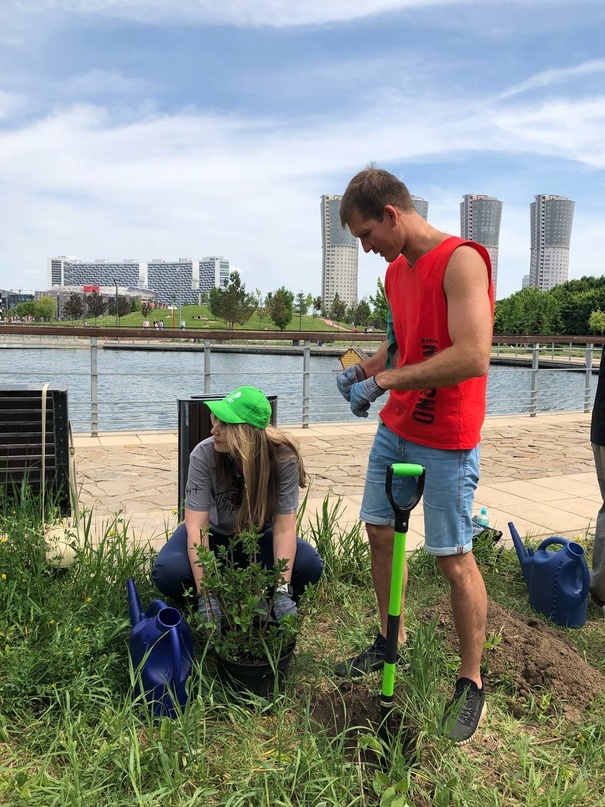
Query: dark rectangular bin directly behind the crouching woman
<point x="193" y="427"/>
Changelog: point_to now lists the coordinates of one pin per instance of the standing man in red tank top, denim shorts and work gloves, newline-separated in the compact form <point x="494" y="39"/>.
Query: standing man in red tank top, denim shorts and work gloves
<point x="440" y="296"/>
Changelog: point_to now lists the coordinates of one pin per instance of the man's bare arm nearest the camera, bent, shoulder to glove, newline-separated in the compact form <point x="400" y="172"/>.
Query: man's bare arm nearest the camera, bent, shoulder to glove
<point x="470" y="327"/>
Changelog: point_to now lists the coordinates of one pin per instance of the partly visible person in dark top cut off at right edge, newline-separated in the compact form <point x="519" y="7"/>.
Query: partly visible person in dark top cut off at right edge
<point x="597" y="440"/>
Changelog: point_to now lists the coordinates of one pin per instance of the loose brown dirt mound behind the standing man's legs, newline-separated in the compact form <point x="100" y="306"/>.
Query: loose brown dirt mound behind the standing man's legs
<point x="532" y="656"/>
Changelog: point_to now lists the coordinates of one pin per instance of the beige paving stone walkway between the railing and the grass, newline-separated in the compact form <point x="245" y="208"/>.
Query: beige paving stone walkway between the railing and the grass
<point x="537" y="472"/>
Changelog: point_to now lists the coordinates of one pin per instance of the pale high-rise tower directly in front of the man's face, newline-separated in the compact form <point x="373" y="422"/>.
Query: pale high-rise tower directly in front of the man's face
<point x="340" y="255"/>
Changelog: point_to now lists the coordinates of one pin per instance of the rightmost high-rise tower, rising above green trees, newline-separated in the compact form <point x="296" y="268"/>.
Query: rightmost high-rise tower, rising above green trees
<point x="551" y="222"/>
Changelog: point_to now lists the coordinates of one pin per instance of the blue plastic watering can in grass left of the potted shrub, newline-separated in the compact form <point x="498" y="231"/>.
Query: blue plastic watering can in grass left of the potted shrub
<point x="162" y="651"/>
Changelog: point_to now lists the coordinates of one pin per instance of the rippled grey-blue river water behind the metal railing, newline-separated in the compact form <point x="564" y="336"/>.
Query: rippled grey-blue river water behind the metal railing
<point x="140" y="389"/>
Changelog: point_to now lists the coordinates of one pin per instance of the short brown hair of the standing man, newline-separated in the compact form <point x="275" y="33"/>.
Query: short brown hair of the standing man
<point x="368" y="193"/>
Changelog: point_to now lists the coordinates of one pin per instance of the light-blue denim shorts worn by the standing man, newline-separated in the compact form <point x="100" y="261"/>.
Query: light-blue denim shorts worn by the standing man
<point x="449" y="488"/>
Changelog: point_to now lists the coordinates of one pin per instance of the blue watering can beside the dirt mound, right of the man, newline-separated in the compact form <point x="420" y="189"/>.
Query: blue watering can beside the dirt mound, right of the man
<point x="557" y="582"/>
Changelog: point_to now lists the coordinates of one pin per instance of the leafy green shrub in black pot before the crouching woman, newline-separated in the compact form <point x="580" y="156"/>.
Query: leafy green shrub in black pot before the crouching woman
<point x="250" y="644"/>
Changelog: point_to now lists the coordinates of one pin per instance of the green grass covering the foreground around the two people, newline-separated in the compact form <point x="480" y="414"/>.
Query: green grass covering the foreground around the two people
<point x="73" y="733"/>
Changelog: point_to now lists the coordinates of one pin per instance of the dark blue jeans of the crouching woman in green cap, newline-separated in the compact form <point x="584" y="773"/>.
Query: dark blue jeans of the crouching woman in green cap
<point x="172" y="570"/>
